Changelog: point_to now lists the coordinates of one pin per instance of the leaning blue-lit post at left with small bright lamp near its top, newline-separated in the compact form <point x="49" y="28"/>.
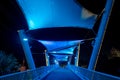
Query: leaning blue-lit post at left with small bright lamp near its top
<point x="26" y="49"/>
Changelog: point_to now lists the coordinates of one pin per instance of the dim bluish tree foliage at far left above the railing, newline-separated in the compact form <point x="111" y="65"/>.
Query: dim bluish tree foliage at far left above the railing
<point x="8" y="63"/>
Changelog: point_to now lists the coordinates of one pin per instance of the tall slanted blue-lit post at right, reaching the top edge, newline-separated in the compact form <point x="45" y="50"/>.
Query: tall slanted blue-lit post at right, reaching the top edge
<point x="100" y="35"/>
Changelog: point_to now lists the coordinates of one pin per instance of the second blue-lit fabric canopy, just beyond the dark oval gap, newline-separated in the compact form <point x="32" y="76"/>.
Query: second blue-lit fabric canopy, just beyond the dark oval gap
<point x="60" y="47"/>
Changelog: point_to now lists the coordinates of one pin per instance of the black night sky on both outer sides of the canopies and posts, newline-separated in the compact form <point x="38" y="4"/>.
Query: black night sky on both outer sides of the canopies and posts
<point x="12" y="19"/>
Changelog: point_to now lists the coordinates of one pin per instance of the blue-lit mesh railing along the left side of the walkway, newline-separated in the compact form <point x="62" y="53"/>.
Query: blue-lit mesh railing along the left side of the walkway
<point x="30" y="74"/>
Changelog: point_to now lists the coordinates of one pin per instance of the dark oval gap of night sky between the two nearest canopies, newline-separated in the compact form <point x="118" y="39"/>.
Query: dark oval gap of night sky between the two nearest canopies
<point x="61" y="34"/>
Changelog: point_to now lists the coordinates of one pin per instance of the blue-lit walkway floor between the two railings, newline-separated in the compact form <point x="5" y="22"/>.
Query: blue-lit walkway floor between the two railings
<point x="61" y="74"/>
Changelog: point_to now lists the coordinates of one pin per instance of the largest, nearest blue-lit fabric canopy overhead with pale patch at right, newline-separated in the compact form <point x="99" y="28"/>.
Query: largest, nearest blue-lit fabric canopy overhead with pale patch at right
<point x="56" y="13"/>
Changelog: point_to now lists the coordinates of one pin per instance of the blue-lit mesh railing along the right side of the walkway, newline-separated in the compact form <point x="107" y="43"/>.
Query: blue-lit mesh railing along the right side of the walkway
<point x="91" y="74"/>
